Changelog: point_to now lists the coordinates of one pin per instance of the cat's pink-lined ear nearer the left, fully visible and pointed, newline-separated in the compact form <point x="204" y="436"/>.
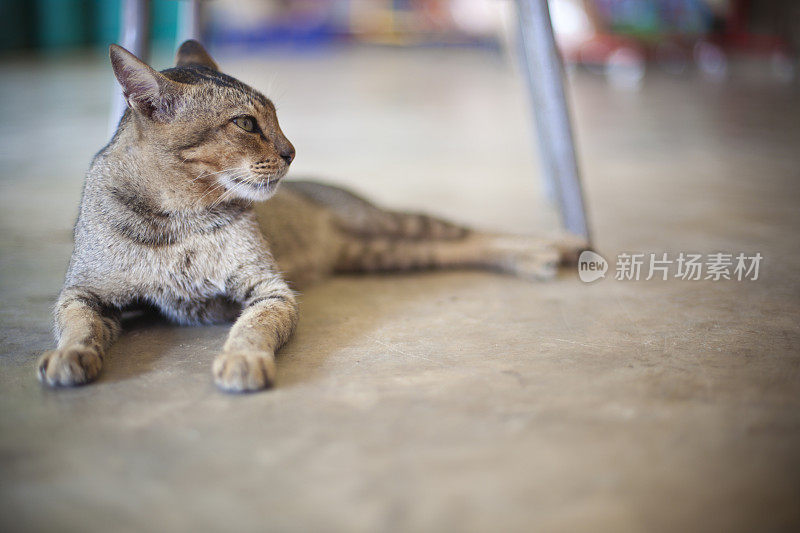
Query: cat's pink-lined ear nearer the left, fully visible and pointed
<point x="149" y="92"/>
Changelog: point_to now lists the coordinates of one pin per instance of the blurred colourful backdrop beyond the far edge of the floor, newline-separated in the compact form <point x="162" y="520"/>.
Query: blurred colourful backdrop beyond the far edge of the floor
<point x="609" y="36"/>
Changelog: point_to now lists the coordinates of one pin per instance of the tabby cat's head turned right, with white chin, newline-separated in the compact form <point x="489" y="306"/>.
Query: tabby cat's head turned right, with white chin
<point x="221" y="136"/>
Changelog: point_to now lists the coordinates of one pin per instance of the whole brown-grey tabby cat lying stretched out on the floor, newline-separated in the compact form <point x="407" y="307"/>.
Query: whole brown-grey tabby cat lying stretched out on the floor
<point x="168" y="220"/>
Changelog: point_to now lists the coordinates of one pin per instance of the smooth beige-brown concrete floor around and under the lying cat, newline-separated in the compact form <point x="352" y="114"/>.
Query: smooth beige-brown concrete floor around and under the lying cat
<point x="433" y="402"/>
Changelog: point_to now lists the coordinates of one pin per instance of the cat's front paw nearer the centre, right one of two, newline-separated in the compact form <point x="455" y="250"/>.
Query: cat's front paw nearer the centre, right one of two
<point x="244" y="371"/>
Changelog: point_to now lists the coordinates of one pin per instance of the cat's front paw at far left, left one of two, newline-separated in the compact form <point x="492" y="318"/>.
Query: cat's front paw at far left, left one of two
<point x="68" y="367"/>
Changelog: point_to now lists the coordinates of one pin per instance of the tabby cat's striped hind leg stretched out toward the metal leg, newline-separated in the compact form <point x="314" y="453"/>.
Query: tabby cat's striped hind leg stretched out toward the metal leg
<point x="382" y="240"/>
